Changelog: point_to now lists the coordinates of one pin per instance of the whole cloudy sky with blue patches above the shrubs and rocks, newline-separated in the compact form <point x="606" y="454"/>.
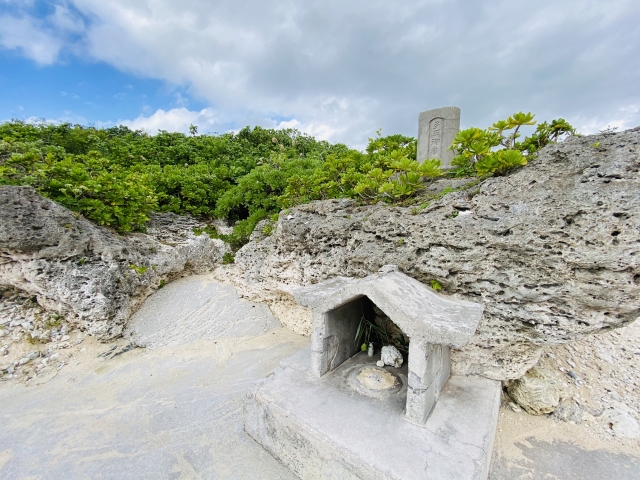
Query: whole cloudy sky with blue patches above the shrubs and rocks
<point x="333" y="69"/>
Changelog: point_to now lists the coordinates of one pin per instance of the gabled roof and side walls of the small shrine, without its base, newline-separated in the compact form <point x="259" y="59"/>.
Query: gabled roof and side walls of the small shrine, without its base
<point x="433" y="323"/>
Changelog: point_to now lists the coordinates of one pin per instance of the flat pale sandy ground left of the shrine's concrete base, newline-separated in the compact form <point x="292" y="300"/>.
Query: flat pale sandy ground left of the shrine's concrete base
<point x="165" y="413"/>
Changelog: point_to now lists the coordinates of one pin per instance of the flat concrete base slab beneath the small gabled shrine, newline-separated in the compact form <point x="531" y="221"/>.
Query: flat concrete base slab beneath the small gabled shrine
<point x="324" y="428"/>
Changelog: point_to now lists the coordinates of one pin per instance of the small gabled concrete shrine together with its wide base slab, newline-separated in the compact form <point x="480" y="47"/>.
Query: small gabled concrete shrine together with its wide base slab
<point x="330" y="412"/>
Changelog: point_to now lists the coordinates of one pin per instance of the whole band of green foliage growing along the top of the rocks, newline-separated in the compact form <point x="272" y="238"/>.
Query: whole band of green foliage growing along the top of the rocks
<point x="116" y="176"/>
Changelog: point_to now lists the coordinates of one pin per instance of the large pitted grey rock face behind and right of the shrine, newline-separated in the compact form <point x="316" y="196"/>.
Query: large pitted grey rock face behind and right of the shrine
<point x="552" y="250"/>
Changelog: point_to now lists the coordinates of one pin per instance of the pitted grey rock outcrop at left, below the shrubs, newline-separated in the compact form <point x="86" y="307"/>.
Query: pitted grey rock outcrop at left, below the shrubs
<point x="89" y="274"/>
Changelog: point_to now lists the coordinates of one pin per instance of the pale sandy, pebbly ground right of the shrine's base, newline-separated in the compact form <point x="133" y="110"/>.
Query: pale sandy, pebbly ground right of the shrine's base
<point x="578" y="441"/>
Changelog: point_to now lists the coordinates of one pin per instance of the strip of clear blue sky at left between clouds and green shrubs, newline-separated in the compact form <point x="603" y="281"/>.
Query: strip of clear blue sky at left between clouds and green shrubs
<point x="81" y="92"/>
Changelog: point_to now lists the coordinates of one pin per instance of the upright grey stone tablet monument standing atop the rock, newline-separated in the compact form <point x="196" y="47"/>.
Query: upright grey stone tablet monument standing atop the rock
<point x="436" y="131"/>
